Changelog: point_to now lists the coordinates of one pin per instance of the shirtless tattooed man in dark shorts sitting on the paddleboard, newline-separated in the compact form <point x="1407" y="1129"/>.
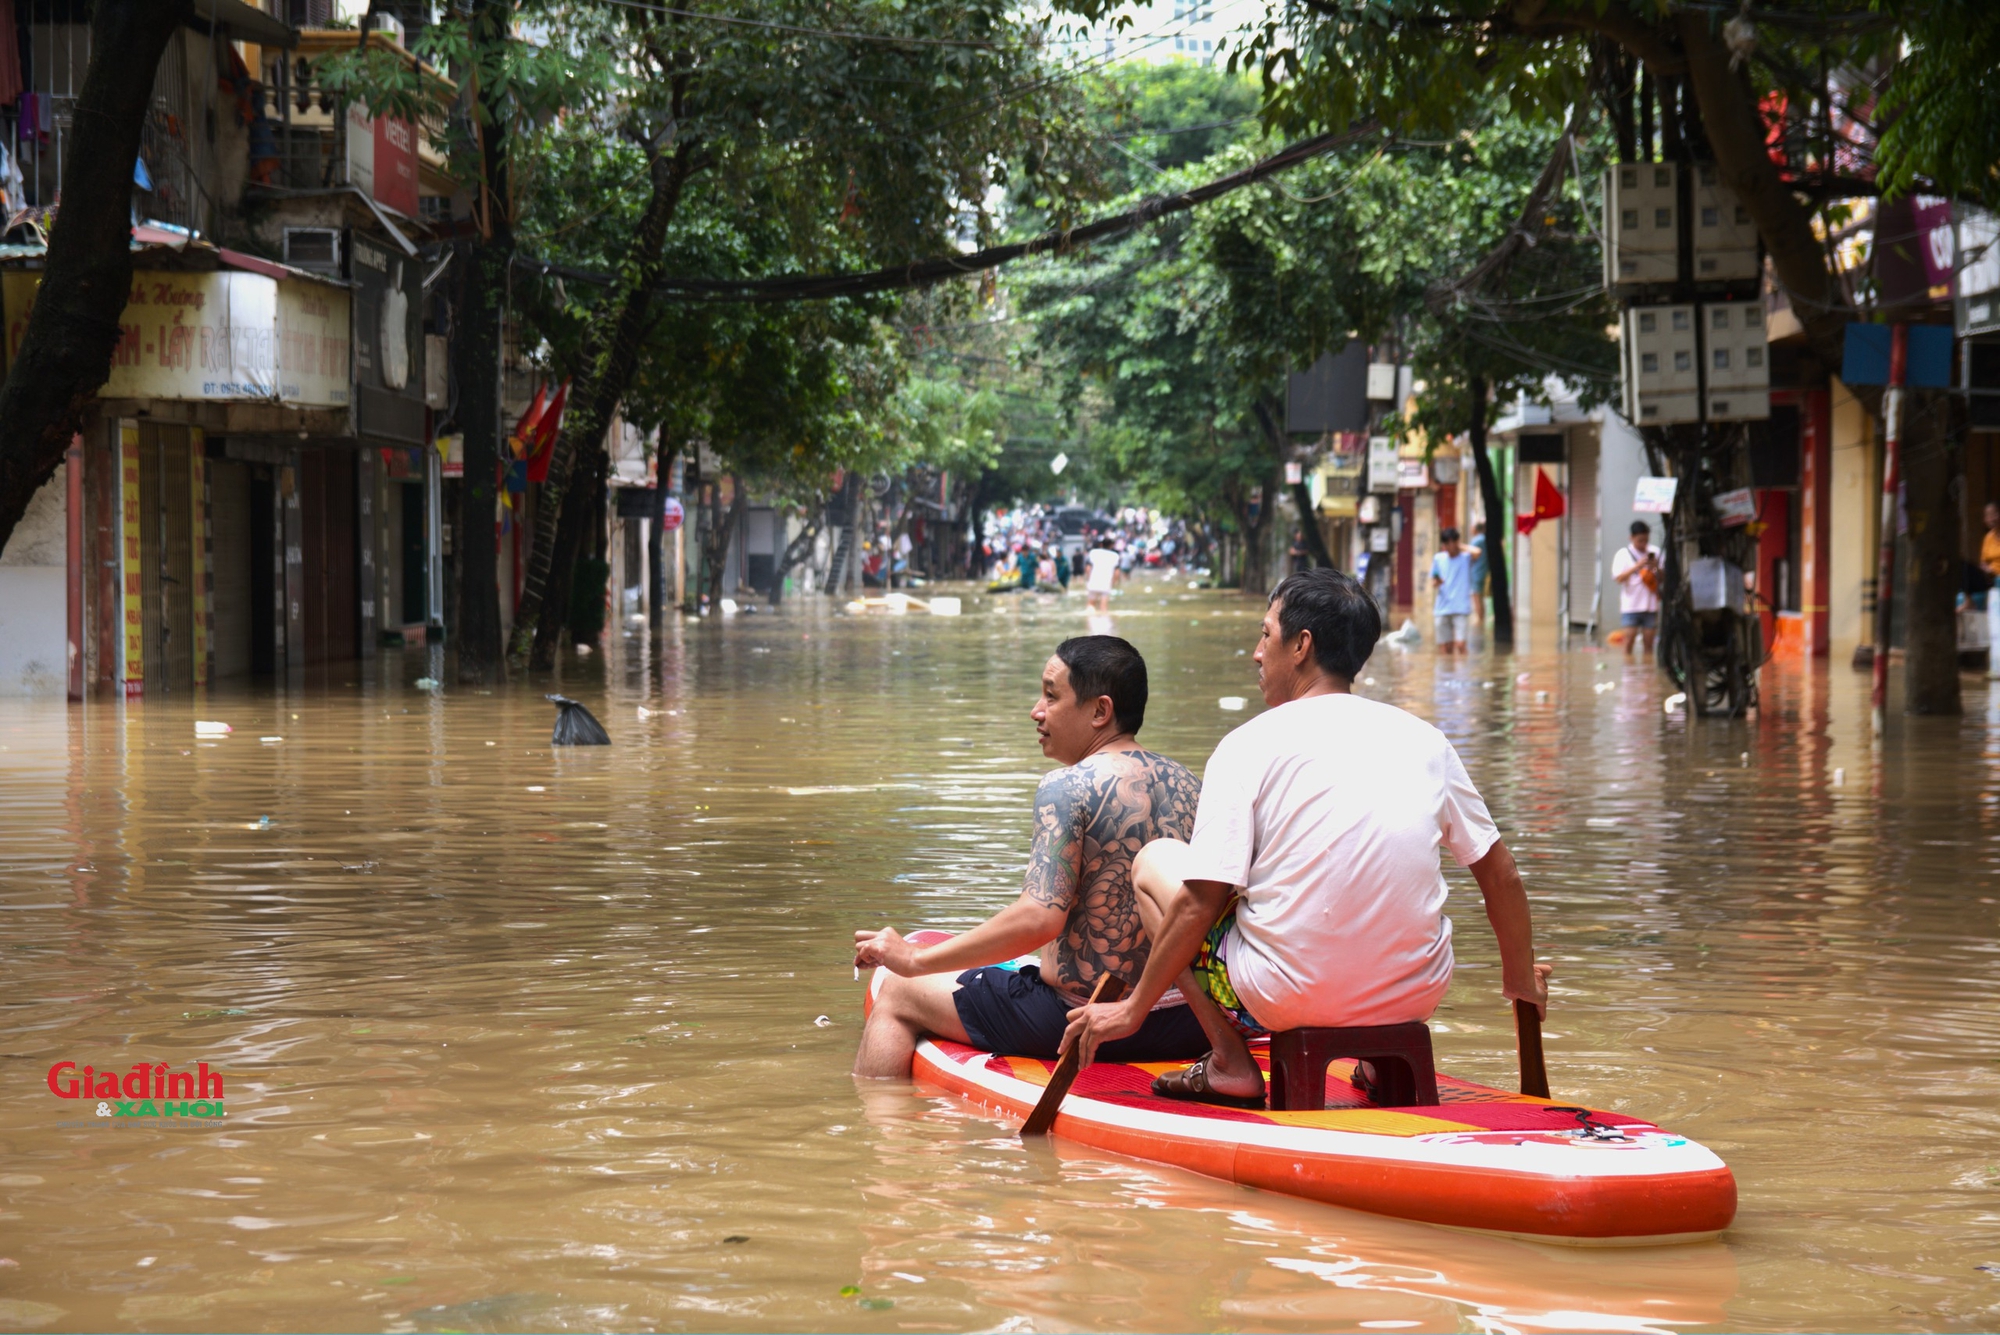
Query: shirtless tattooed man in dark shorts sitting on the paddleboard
<point x="1077" y="906"/>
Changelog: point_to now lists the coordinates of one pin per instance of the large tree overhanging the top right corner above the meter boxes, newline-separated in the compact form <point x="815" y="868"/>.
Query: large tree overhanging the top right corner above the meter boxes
<point x="1709" y="81"/>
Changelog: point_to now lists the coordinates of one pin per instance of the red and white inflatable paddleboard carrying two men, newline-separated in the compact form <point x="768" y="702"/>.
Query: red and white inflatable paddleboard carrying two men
<point x="1481" y="1160"/>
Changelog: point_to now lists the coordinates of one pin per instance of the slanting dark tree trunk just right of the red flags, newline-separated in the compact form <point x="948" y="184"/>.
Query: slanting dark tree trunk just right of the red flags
<point x="581" y="447"/>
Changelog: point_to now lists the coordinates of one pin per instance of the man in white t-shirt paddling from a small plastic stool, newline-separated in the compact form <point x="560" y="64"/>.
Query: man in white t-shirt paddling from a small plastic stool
<point x="1311" y="894"/>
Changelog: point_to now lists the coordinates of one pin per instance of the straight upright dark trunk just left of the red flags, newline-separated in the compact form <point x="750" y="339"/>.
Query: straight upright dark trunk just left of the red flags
<point x="477" y="349"/>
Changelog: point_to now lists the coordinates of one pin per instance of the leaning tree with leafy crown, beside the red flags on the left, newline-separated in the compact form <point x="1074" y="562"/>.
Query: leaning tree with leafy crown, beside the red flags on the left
<point x="867" y="133"/>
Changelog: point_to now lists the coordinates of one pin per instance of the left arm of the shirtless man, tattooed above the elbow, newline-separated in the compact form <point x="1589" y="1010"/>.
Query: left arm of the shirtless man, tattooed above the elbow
<point x="1025" y="926"/>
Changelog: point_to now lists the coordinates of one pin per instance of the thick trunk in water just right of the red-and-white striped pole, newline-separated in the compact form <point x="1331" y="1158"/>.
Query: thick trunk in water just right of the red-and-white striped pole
<point x="1931" y="639"/>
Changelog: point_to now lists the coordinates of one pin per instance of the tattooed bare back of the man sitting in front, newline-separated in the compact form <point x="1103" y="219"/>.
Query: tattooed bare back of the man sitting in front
<point x="1089" y="822"/>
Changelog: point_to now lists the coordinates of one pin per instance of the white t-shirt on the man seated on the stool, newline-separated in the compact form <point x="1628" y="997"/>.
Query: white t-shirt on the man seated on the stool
<point x="1329" y="814"/>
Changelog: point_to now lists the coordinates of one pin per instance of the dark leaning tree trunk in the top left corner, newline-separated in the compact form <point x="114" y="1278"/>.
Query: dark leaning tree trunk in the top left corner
<point x="67" y="351"/>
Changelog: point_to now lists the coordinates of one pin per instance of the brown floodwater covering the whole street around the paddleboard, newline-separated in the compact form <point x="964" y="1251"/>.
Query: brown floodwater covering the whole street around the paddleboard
<point x="525" y="1040"/>
